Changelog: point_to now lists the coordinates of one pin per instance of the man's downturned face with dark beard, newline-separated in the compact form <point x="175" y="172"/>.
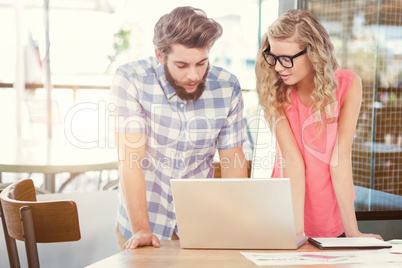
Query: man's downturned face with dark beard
<point x="186" y="70"/>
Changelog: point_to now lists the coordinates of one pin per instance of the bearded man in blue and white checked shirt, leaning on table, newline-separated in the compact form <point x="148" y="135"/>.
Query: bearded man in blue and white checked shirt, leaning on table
<point x="174" y="111"/>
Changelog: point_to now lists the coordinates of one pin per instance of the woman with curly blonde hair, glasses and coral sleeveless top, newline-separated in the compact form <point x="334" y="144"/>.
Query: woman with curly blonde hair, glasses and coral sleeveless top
<point x="312" y="107"/>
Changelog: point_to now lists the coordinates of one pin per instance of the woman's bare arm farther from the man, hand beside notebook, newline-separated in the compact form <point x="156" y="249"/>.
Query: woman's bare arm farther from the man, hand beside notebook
<point x="341" y="162"/>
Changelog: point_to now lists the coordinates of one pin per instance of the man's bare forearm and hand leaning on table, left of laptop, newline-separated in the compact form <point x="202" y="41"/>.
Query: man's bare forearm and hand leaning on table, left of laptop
<point x="131" y="150"/>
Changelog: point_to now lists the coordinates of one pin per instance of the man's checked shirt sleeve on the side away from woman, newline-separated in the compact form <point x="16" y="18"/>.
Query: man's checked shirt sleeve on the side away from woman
<point x="125" y="106"/>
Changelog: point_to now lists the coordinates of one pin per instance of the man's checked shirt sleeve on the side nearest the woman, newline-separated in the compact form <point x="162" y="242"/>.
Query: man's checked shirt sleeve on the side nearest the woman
<point x="233" y="131"/>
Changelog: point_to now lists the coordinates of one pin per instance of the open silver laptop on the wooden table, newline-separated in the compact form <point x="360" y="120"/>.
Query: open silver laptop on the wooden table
<point x="235" y="214"/>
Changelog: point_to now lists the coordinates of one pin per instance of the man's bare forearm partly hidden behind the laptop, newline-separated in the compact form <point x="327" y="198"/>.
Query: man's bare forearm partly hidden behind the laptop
<point x="233" y="163"/>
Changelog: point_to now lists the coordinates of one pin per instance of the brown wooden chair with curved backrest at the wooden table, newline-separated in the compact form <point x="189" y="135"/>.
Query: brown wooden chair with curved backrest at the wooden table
<point x="33" y="222"/>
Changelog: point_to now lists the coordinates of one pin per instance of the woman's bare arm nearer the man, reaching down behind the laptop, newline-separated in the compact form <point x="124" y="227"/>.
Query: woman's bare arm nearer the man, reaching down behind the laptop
<point x="293" y="168"/>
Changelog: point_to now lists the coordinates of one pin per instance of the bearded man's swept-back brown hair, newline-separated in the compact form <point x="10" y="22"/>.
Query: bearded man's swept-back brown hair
<point x="187" y="26"/>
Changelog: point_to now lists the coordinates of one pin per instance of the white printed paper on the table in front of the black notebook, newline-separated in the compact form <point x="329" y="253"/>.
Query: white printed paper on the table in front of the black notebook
<point x="328" y="257"/>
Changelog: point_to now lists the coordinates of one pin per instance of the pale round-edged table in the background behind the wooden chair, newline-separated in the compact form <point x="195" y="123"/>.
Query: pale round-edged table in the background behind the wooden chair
<point x="52" y="157"/>
